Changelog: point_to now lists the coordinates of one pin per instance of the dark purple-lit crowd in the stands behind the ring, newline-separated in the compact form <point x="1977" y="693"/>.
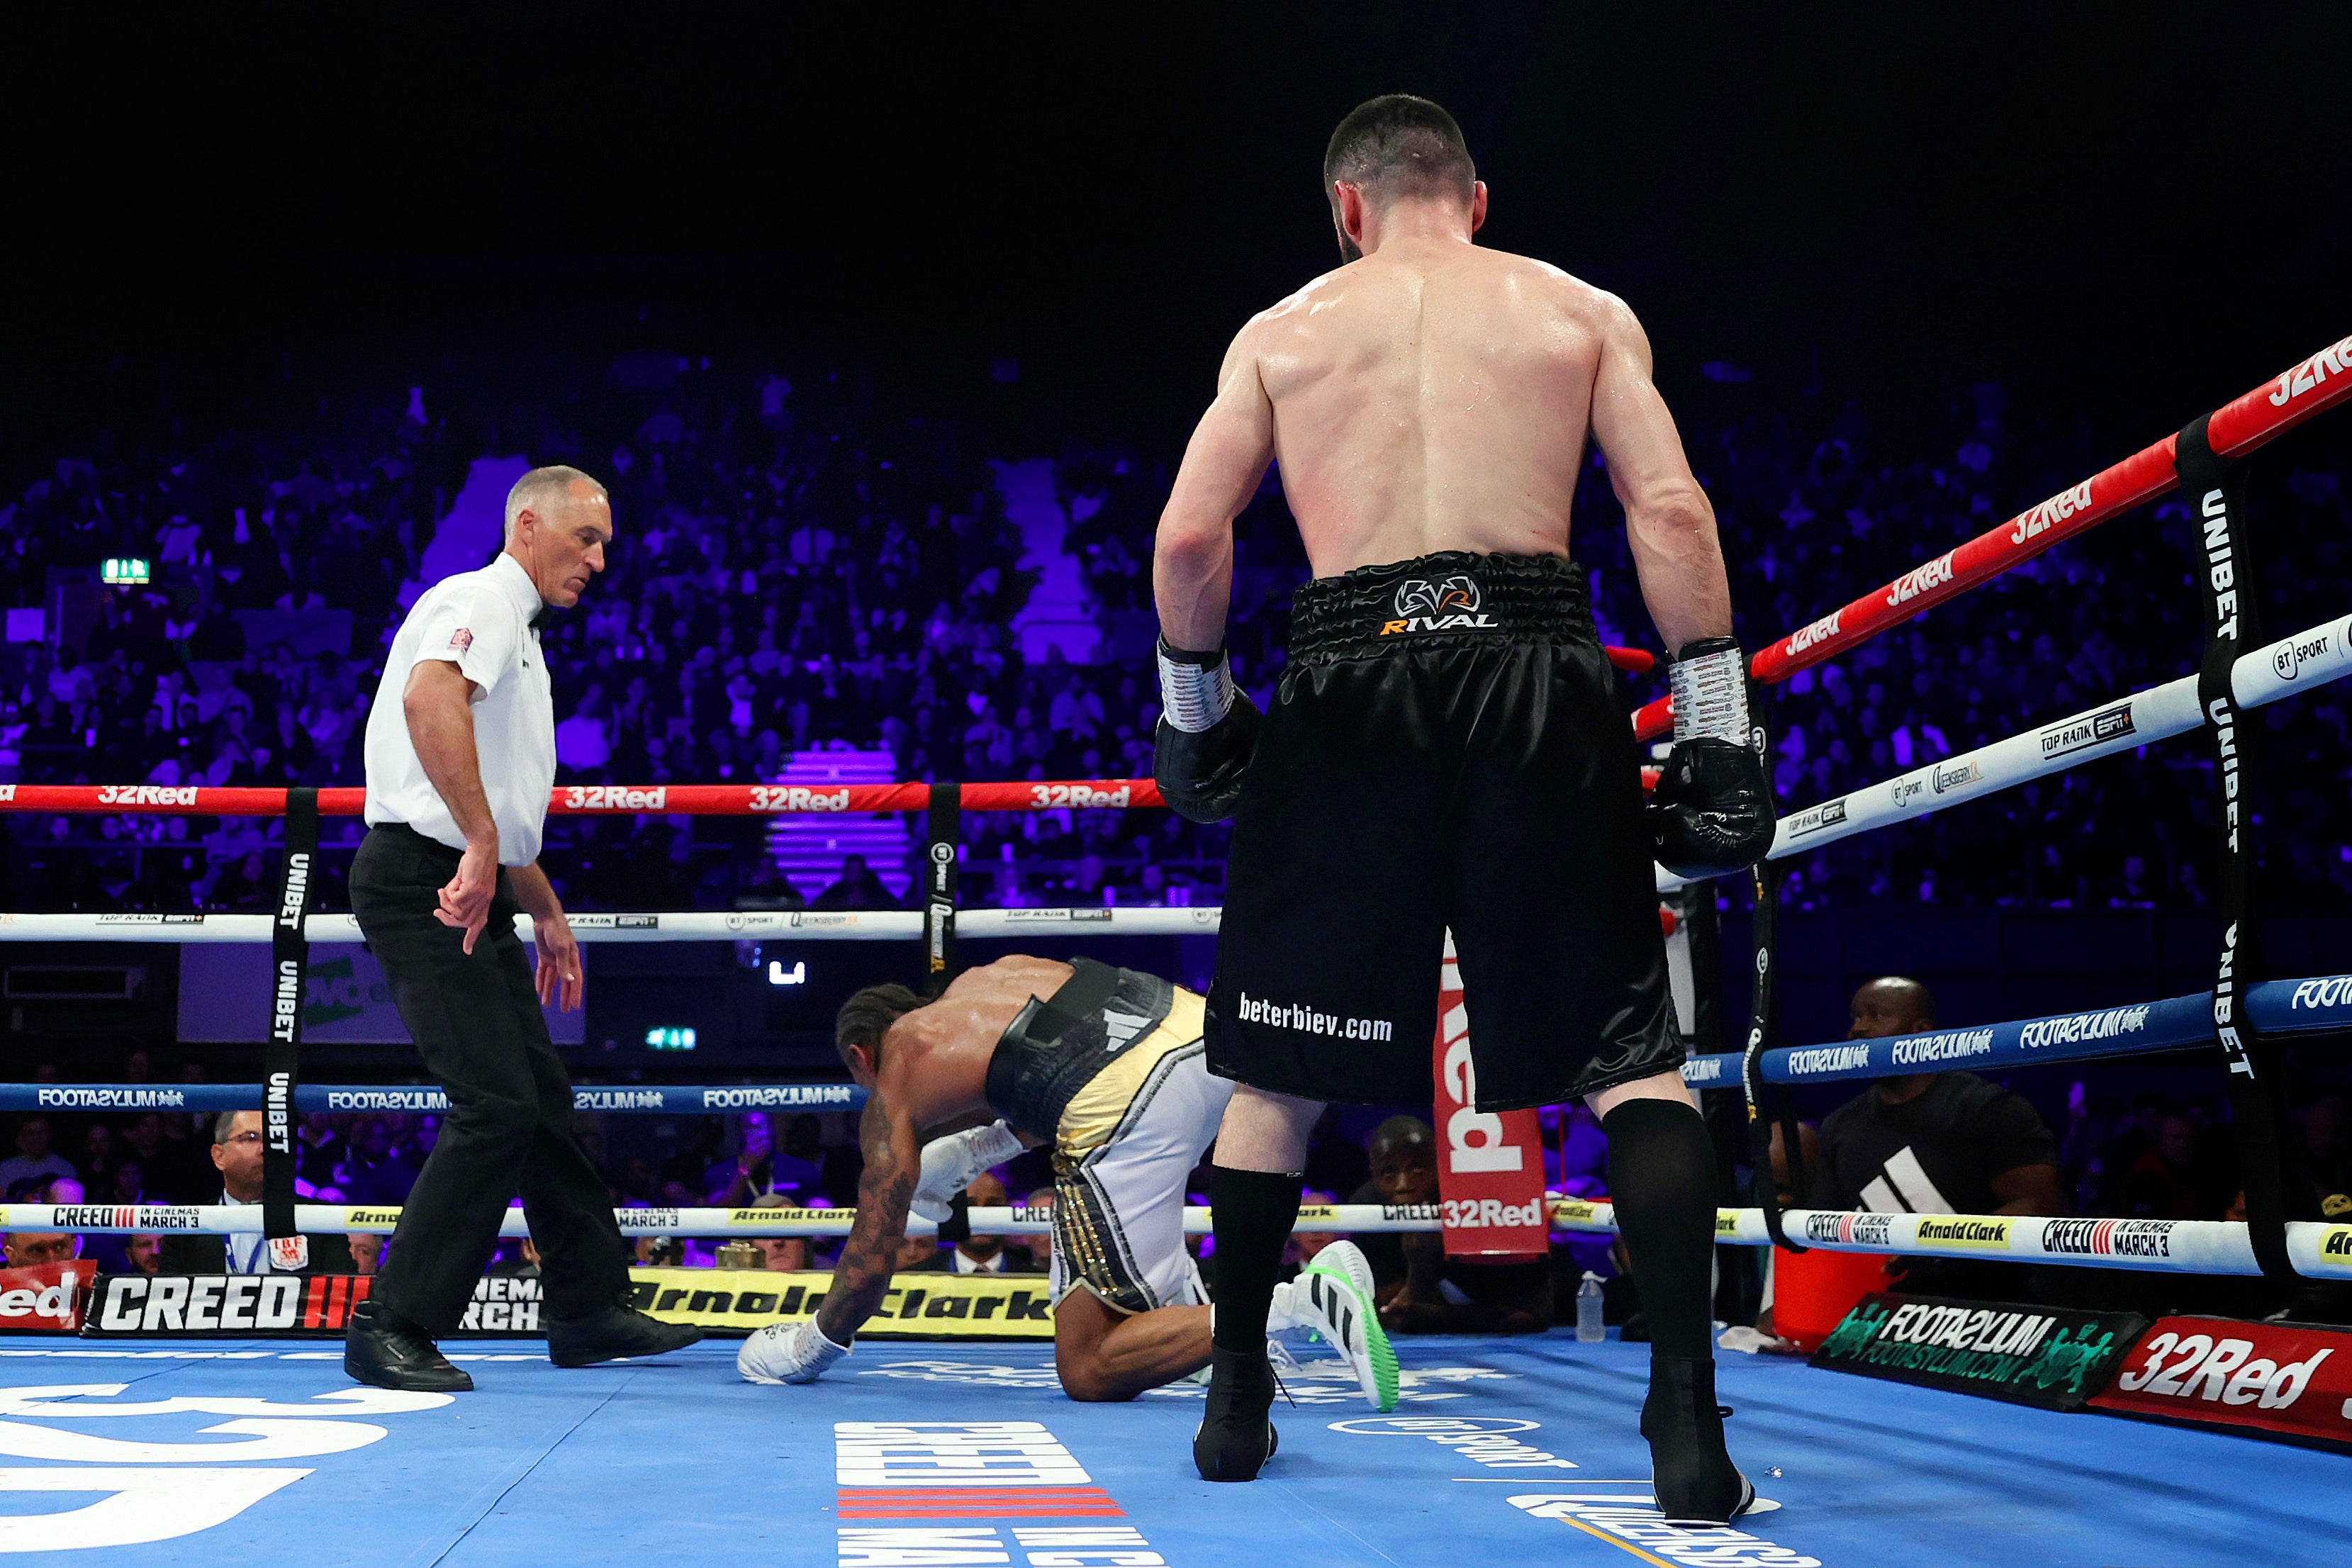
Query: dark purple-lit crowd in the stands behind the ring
<point x="799" y="572"/>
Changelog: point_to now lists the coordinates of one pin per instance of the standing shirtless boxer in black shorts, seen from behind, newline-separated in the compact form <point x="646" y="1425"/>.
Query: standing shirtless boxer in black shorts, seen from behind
<point x="1445" y="746"/>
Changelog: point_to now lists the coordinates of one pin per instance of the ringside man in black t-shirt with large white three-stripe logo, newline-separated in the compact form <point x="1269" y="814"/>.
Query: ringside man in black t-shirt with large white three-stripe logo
<point x="1935" y="1144"/>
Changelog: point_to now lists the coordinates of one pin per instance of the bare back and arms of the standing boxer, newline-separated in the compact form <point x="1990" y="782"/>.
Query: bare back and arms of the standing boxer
<point x="1436" y="396"/>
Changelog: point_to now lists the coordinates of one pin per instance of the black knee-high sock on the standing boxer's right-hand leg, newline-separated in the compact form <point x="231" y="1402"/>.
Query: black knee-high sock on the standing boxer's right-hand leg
<point x="1662" y="1179"/>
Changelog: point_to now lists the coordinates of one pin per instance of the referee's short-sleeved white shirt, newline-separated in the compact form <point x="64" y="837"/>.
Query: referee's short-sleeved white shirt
<point x="481" y="622"/>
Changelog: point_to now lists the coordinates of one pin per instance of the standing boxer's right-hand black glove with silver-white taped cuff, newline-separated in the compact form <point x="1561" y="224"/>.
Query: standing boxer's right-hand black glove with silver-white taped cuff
<point x="1711" y="812"/>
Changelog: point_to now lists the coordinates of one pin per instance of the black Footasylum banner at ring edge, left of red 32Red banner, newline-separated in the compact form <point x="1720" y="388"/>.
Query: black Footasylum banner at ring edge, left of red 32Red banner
<point x="2043" y="1358"/>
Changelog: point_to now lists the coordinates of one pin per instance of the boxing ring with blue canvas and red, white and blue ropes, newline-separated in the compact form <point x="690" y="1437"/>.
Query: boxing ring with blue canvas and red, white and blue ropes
<point x="968" y="1454"/>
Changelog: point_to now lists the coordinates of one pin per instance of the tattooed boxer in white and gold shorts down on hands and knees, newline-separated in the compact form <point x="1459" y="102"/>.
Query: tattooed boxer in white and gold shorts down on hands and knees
<point x="1107" y="1066"/>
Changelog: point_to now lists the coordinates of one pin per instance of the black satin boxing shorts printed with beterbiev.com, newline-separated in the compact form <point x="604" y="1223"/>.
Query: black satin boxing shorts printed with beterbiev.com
<point x="1445" y="749"/>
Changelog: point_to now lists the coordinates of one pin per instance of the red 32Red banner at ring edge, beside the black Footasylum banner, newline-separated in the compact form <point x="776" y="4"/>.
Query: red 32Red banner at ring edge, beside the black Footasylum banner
<point x="2259" y="1379"/>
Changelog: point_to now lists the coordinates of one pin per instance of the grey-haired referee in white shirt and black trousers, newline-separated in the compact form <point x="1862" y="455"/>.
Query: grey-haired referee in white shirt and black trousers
<point x="460" y="765"/>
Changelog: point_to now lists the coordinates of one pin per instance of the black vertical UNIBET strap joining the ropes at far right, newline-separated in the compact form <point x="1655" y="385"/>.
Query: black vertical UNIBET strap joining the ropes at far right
<point x="2217" y="495"/>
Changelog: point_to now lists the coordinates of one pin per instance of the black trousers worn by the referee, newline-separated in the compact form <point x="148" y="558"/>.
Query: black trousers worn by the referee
<point x="476" y="1021"/>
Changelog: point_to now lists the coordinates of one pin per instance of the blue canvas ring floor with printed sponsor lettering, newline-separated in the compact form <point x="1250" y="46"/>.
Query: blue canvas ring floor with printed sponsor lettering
<point x="262" y="1454"/>
